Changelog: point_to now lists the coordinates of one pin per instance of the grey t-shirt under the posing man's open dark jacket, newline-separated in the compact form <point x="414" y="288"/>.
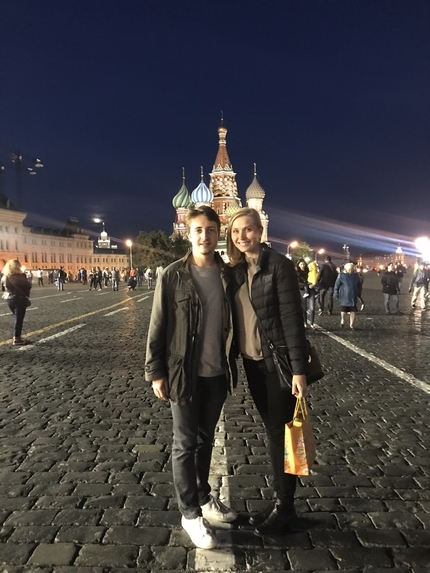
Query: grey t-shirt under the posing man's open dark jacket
<point x="207" y="282"/>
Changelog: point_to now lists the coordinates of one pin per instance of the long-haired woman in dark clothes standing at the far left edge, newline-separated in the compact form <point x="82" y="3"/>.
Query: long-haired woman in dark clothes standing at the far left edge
<point x="18" y="290"/>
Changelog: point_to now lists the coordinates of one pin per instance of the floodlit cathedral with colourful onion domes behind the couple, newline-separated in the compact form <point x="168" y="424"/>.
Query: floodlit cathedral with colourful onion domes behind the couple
<point x="221" y="195"/>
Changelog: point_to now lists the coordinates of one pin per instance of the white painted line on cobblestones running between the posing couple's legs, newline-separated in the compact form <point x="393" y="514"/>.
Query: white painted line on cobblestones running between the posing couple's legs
<point x="221" y="558"/>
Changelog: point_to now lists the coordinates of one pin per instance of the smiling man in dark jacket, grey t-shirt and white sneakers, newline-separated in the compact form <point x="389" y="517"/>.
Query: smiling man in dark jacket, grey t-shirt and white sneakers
<point x="190" y="362"/>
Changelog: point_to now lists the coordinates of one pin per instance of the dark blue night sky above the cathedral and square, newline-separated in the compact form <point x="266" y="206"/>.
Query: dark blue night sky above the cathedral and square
<point x="330" y="98"/>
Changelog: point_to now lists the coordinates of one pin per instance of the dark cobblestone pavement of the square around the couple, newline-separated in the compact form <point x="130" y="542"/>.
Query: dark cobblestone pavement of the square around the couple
<point x="85" y="475"/>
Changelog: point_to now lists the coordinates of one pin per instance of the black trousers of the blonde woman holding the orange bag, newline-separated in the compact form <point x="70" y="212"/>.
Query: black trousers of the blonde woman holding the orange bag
<point x="276" y="408"/>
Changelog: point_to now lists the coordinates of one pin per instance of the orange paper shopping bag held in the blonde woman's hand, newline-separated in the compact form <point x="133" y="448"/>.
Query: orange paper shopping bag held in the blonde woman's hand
<point x="299" y="442"/>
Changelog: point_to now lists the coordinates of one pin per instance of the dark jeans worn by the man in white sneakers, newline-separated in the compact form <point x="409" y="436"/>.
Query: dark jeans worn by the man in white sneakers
<point x="193" y="435"/>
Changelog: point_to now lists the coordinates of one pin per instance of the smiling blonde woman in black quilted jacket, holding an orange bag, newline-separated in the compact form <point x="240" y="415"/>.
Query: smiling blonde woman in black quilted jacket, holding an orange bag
<point x="266" y="296"/>
